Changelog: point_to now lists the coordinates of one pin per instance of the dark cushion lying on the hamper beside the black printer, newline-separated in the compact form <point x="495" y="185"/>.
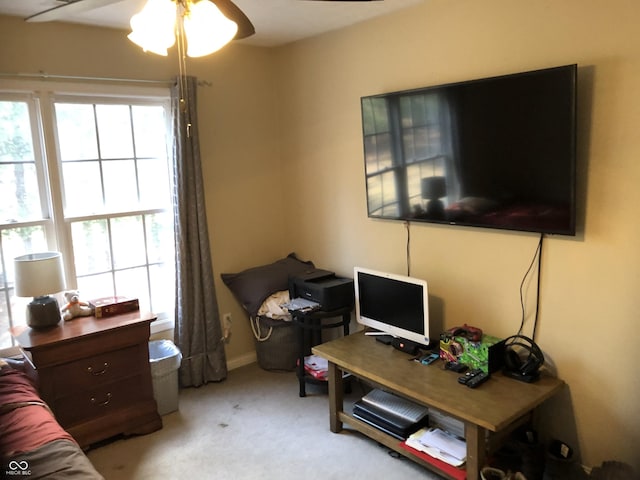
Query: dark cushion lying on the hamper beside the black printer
<point x="251" y="287"/>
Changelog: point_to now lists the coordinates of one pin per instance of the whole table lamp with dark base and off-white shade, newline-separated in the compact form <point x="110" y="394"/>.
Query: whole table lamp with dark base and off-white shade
<point x="38" y="275"/>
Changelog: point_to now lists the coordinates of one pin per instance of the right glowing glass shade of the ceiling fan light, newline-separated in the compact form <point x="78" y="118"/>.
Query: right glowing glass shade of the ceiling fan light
<point x="206" y="28"/>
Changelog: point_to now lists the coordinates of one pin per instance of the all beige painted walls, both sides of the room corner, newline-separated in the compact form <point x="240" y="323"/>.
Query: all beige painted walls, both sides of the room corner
<point x="588" y="310"/>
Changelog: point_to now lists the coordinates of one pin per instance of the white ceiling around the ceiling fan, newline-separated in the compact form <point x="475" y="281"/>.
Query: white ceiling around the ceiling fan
<point x="277" y="22"/>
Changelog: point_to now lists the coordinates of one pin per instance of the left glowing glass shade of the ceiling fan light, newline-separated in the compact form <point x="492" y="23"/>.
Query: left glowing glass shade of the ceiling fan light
<point x="153" y="28"/>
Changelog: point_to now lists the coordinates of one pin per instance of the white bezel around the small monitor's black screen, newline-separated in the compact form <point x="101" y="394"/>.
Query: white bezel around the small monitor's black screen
<point x="385" y="327"/>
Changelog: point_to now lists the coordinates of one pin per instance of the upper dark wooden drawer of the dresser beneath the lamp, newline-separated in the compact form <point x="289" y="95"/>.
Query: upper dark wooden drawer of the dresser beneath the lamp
<point x="104" y="368"/>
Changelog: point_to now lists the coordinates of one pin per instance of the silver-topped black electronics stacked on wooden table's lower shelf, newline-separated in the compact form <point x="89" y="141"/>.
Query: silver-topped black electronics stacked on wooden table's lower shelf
<point x="390" y="413"/>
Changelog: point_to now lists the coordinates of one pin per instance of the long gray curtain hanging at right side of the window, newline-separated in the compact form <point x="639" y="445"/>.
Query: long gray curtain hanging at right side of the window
<point x="198" y="332"/>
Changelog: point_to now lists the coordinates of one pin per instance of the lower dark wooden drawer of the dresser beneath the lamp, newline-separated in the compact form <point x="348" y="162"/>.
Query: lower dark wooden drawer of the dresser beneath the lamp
<point x="105" y="399"/>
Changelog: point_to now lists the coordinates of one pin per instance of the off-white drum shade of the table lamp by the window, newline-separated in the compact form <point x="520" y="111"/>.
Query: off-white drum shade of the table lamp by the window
<point x="39" y="274"/>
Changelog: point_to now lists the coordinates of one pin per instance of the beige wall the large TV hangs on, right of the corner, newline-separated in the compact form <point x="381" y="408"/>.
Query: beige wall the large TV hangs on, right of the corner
<point x="589" y="307"/>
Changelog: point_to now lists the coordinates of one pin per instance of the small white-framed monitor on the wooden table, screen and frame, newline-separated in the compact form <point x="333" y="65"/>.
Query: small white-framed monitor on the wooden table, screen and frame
<point x="393" y="304"/>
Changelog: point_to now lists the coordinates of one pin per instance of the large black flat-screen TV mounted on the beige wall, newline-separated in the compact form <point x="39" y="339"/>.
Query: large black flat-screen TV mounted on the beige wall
<point x="496" y="152"/>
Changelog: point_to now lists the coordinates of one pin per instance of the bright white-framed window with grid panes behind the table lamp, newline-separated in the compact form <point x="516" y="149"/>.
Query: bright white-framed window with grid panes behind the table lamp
<point x="87" y="174"/>
